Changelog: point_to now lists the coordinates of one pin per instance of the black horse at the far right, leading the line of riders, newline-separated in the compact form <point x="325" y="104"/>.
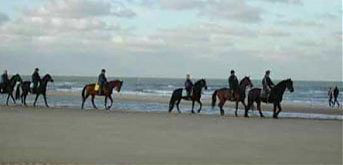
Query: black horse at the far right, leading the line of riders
<point x="275" y="97"/>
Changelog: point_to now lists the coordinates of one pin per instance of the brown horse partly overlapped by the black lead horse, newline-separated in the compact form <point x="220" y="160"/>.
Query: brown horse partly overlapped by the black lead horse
<point x="224" y="94"/>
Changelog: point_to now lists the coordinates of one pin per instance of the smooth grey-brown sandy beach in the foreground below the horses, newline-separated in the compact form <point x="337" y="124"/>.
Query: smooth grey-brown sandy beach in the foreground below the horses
<point x="60" y="135"/>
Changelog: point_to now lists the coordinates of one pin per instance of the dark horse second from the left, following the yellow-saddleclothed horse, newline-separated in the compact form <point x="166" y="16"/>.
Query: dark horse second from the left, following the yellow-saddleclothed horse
<point x="41" y="90"/>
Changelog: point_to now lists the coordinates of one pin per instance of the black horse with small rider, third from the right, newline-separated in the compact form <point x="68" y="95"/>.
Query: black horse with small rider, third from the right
<point x="177" y="96"/>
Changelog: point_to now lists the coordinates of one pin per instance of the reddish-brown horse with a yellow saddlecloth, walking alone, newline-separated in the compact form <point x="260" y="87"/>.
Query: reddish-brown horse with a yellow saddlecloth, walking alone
<point x="108" y="90"/>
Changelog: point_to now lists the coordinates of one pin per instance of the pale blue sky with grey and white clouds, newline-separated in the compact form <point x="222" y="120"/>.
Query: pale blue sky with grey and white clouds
<point x="298" y="39"/>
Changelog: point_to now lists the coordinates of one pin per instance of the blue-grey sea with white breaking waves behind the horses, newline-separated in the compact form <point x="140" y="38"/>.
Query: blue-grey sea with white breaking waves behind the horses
<point x="306" y="92"/>
